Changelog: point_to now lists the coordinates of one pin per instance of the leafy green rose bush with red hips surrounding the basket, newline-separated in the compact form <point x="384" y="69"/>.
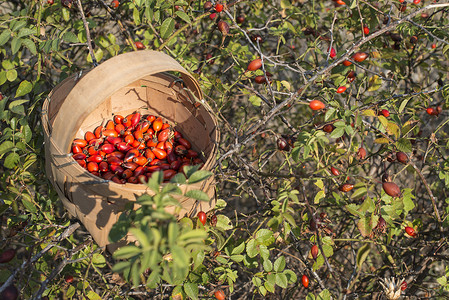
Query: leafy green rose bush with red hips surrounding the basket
<point x="333" y="171"/>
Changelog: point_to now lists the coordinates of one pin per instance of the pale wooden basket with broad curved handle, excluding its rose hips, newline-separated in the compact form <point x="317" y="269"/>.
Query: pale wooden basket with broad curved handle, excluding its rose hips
<point x="135" y="81"/>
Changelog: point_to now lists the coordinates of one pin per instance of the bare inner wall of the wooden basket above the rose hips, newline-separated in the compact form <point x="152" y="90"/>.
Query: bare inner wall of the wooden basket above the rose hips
<point x="161" y="95"/>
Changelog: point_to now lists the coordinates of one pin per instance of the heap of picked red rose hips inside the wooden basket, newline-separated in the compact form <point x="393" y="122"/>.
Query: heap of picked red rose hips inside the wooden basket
<point x="129" y="149"/>
